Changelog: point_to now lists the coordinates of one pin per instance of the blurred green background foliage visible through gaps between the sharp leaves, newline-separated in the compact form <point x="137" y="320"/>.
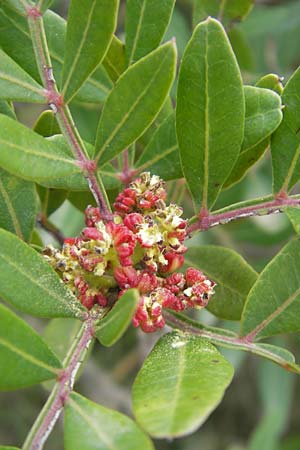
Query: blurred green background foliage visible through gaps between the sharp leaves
<point x="261" y="408"/>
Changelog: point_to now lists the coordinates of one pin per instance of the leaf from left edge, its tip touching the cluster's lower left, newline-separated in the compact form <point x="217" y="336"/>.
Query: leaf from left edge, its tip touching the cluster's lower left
<point x="29" y="283"/>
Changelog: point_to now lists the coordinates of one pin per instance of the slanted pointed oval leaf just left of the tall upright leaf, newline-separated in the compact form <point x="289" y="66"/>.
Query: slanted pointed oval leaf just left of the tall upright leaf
<point x="135" y="101"/>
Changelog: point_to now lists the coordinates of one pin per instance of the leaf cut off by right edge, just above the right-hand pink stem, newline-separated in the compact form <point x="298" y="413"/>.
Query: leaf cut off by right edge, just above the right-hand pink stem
<point x="285" y="143"/>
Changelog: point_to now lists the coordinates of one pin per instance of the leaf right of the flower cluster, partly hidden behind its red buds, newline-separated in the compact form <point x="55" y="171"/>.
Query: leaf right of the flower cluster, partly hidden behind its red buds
<point x="233" y="275"/>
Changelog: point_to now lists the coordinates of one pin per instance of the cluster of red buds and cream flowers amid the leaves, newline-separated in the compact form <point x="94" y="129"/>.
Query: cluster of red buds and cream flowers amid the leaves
<point x="140" y="248"/>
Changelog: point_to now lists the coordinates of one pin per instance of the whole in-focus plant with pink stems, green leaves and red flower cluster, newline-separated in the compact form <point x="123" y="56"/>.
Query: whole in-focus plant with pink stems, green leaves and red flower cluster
<point x="134" y="261"/>
